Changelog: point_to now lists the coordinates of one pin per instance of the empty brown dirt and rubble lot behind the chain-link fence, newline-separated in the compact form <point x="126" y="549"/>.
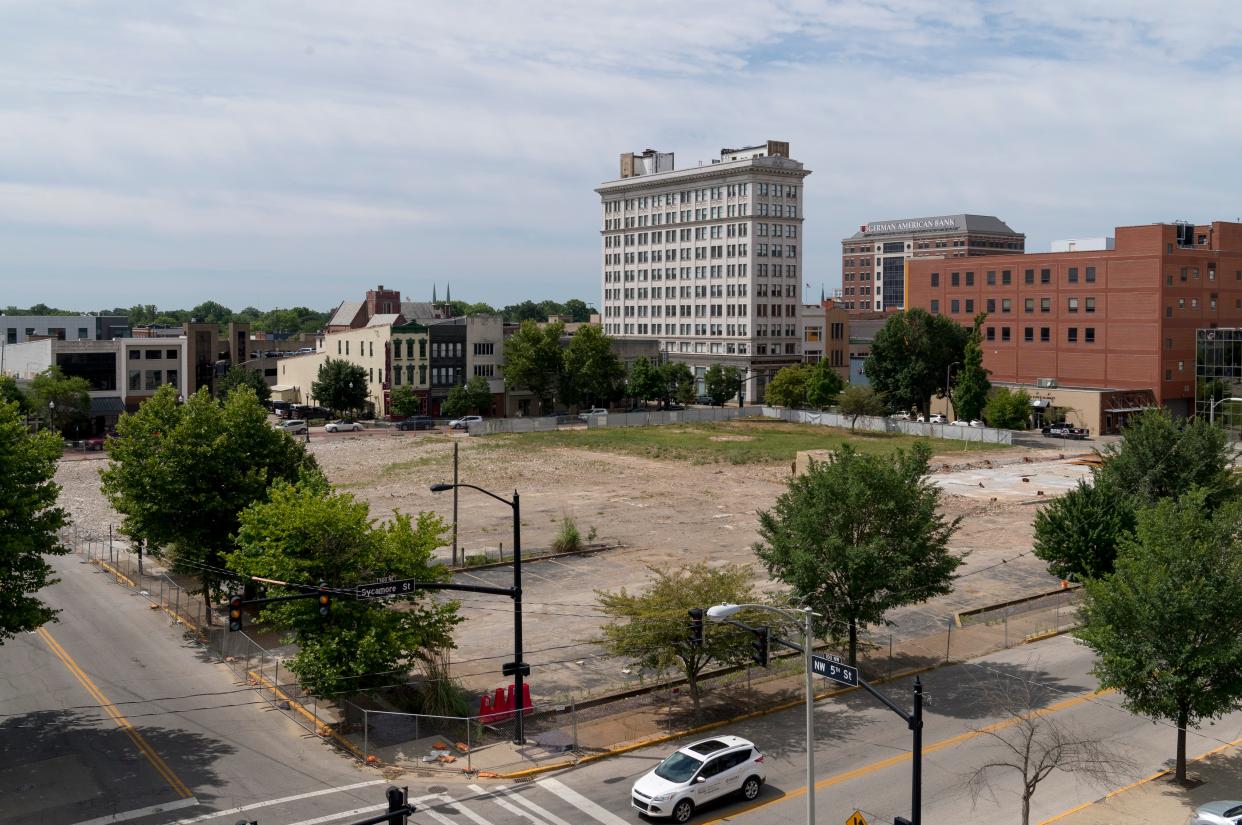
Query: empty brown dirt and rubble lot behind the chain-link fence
<point x="661" y="511"/>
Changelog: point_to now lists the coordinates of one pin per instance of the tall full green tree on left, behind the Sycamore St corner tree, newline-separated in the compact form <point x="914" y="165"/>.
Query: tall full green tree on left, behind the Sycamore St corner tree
<point x="182" y="474"/>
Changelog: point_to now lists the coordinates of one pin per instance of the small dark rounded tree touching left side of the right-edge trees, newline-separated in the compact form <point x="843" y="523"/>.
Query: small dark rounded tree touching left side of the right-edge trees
<point x="1079" y="534"/>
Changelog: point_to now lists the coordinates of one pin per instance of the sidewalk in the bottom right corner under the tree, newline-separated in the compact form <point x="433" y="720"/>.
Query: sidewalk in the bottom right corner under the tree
<point x="1157" y="801"/>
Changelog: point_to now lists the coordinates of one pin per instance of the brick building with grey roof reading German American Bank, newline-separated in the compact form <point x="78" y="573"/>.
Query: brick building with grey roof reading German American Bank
<point x="874" y="259"/>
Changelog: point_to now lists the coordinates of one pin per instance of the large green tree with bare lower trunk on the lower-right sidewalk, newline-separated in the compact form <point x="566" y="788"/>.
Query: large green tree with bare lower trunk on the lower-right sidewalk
<point x="1167" y="626"/>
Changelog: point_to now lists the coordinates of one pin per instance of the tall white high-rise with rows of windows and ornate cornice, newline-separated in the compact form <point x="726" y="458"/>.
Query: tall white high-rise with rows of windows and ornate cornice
<point x="709" y="260"/>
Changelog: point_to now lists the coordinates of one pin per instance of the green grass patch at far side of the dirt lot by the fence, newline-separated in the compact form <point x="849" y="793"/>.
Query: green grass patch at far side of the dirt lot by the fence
<point x="737" y="443"/>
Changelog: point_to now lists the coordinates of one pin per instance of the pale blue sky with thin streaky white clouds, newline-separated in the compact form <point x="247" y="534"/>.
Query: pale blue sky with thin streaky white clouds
<point x="300" y="153"/>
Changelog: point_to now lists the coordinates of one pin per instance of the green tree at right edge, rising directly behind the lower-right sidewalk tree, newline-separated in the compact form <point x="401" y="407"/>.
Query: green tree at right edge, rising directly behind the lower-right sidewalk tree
<point x="1161" y="458"/>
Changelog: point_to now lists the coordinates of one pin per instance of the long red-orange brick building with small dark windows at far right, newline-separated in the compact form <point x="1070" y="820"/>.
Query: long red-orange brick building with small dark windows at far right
<point x="1122" y="320"/>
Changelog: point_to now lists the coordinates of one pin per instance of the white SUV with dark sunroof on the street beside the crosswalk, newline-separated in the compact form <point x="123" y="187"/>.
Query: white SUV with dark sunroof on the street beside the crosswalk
<point x="699" y="775"/>
